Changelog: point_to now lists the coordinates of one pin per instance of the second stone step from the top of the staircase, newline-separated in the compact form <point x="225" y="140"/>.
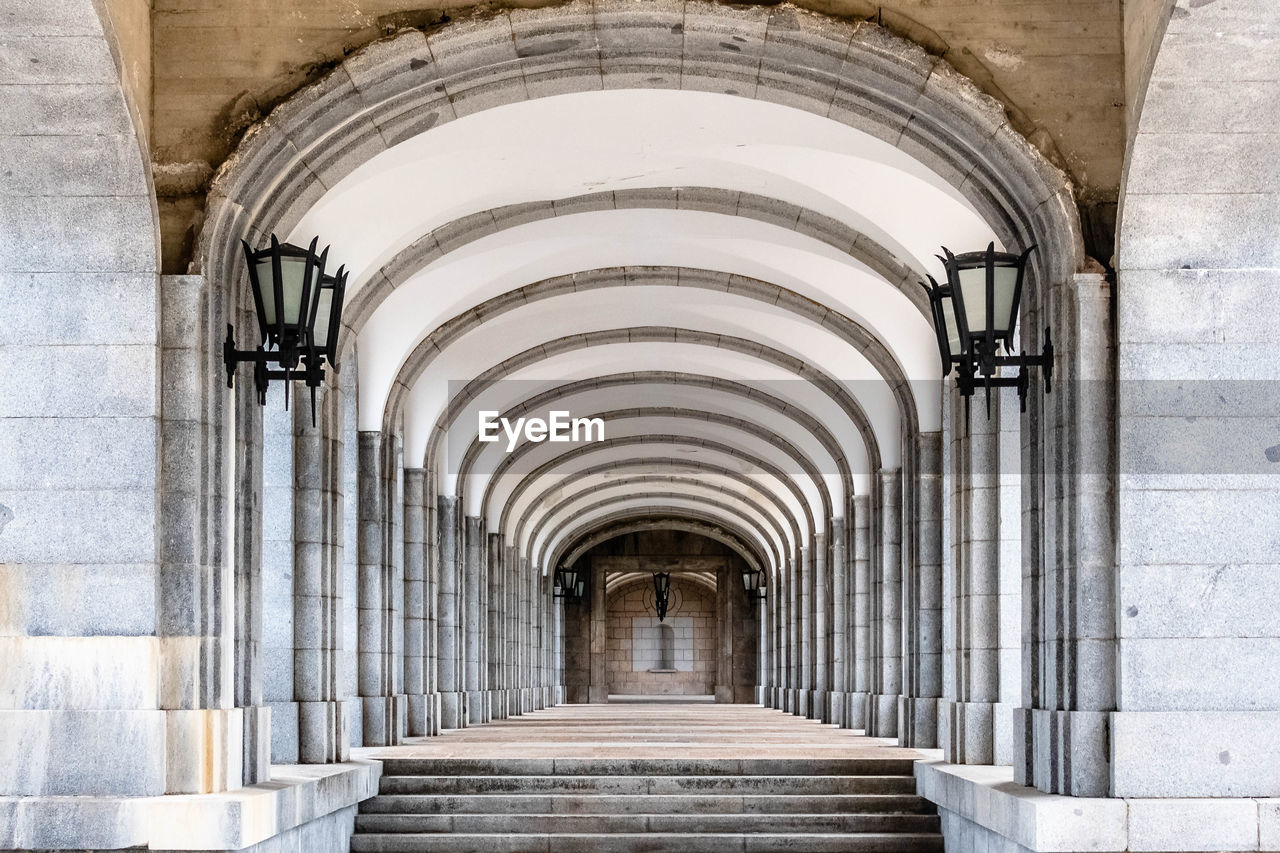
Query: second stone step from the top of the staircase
<point x="778" y="784"/>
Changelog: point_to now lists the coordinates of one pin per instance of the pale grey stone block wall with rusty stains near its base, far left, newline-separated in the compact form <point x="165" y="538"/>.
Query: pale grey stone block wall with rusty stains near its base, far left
<point x="81" y="545"/>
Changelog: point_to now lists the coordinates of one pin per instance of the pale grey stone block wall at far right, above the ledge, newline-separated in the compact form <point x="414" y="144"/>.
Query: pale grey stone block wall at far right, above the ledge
<point x="1199" y="273"/>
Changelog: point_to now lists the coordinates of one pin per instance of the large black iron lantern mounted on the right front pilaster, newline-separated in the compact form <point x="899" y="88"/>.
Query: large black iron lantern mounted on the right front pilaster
<point x="975" y="317"/>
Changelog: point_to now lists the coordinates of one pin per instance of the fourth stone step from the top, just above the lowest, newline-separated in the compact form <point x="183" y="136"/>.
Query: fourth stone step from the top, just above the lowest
<point x="633" y="824"/>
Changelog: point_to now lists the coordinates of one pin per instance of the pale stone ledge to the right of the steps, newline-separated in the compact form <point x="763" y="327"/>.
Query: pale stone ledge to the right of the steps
<point x="990" y="800"/>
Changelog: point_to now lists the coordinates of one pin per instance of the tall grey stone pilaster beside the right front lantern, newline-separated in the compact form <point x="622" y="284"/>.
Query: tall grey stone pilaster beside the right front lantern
<point x="1064" y="741"/>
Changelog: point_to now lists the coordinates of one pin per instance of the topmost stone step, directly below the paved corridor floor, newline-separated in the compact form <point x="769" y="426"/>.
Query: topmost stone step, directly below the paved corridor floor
<point x="648" y="767"/>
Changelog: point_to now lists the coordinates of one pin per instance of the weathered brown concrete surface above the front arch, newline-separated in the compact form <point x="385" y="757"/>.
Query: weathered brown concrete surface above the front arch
<point x="223" y="65"/>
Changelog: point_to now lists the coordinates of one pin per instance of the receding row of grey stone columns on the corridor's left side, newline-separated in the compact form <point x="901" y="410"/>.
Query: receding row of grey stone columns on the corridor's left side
<point x="444" y="626"/>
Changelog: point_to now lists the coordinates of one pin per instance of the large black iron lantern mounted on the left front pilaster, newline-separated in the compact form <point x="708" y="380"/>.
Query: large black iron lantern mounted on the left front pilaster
<point x="299" y="312"/>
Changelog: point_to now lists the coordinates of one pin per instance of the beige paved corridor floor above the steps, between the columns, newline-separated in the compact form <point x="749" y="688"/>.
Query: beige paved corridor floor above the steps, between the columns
<point x="648" y="731"/>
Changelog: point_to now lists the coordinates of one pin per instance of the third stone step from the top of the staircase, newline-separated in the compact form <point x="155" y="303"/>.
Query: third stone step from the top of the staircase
<point x="643" y="804"/>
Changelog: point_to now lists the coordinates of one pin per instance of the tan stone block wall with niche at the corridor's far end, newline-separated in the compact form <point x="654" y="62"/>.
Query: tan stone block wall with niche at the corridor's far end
<point x="692" y="603"/>
